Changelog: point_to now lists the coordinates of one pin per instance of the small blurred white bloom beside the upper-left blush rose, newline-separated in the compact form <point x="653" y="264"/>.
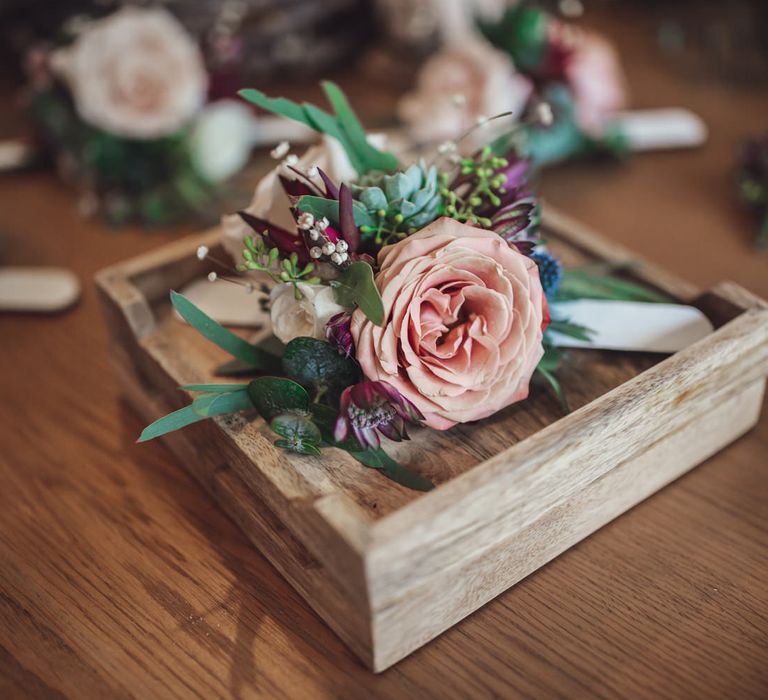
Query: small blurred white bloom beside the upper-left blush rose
<point x="221" y="140"/>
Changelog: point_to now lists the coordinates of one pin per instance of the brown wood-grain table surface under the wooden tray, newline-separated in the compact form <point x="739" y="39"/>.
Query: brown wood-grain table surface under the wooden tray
<point x="119" y="577"/>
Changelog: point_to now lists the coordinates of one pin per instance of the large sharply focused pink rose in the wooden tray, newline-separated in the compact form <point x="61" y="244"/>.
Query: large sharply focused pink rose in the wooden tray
<point x="463" y="324"/>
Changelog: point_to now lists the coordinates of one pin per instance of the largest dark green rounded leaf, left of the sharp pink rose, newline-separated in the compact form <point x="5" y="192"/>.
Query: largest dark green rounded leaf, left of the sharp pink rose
<point x="318" y="365"/>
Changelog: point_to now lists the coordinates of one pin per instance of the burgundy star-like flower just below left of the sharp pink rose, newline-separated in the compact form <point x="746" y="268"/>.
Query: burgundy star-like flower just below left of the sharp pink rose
<point x="370" y="408"/>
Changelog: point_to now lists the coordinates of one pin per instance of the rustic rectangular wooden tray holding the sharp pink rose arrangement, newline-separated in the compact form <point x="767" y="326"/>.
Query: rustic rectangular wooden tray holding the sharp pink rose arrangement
<point x="389" y="569"/>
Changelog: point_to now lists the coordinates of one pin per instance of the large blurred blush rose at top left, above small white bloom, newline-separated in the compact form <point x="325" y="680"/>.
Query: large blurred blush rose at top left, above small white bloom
<point x="136" y="73"/>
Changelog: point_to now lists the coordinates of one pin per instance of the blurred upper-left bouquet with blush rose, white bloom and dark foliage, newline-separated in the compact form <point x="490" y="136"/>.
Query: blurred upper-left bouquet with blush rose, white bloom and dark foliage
<point x="124" y="109"/>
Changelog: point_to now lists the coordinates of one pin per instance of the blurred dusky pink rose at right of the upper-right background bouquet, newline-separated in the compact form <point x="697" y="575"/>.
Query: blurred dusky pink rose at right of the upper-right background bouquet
<point x="594" y="72"/>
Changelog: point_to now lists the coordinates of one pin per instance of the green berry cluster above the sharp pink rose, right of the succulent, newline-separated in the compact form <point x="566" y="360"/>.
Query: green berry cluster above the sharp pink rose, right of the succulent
<point x="484" y="187"/>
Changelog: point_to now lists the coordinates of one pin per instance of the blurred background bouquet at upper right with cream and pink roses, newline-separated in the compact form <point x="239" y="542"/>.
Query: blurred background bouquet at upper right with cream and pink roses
<point x="515" y="61"/>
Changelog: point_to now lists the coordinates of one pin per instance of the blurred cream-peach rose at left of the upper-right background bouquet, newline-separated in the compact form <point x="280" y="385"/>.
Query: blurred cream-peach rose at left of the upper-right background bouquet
<point x="457" y="85"/>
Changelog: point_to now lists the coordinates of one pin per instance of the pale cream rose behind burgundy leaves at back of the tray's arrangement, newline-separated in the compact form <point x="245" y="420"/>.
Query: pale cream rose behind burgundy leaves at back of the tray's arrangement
<point x="270" y="201"/>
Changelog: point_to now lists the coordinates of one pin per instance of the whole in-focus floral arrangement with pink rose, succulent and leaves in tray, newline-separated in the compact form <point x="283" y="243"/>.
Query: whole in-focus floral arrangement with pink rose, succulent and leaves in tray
<point x="404" y="296"/>
